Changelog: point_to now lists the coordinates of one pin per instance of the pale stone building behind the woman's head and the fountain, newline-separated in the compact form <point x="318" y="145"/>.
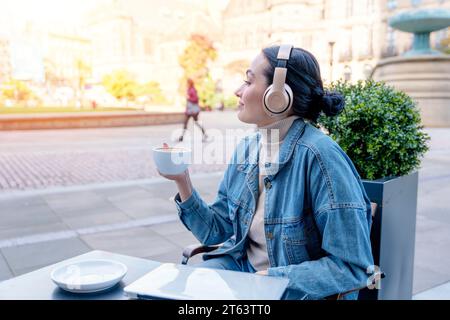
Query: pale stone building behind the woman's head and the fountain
<point x="348" y="37"/>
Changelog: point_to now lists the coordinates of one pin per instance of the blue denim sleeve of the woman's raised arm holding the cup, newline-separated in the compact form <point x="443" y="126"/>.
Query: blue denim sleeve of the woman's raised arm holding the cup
<point x="210" y="224"/>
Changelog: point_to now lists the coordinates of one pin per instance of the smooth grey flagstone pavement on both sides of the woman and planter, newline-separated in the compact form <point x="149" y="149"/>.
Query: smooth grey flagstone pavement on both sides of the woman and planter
<point x="138" y="218"/>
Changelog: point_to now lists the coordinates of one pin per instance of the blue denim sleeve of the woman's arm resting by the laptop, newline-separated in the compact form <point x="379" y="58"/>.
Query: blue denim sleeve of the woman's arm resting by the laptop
<point x="342" y="216"/>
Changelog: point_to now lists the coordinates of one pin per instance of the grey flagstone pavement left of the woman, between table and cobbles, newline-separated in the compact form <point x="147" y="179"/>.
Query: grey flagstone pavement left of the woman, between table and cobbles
<point x="43" y="227"/>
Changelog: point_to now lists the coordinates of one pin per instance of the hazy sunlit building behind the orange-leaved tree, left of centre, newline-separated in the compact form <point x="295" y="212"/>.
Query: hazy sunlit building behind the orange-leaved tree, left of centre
<point x="146" y="43"/>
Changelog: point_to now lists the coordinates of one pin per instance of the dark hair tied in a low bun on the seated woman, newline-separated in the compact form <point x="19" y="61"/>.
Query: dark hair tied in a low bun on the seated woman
<point x="303" y="76"/>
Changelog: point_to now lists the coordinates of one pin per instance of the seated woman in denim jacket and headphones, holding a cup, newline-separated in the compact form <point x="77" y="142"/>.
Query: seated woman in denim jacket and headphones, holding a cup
<point x="300" y="211"/>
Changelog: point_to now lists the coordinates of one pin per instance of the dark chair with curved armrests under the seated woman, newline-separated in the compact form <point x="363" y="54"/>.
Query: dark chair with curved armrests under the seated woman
<point x="377" y="275"/>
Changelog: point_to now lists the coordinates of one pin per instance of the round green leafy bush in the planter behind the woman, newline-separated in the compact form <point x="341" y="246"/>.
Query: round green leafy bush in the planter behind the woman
<point x="379" y="129"/>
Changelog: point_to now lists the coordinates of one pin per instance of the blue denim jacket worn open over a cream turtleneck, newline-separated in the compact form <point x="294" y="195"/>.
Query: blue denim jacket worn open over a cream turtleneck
<point x="317" y="214"/>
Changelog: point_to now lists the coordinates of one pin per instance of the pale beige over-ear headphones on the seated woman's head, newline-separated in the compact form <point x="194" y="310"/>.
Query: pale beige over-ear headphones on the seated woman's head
<point x="277" y="99"/>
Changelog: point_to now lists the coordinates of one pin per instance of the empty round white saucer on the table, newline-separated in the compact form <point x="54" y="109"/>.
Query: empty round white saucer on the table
<point x="89" y="275"/>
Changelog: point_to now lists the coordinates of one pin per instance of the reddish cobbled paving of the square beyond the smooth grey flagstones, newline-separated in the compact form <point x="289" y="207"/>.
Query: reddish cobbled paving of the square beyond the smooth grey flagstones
<point x="43" y="159"/>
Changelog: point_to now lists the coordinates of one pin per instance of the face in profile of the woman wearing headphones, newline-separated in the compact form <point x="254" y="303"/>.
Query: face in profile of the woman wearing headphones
<point x="251" y="93"/>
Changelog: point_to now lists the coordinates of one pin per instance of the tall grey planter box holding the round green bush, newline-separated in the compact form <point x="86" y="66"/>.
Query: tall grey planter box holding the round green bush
<point x="393" y="235"/>
